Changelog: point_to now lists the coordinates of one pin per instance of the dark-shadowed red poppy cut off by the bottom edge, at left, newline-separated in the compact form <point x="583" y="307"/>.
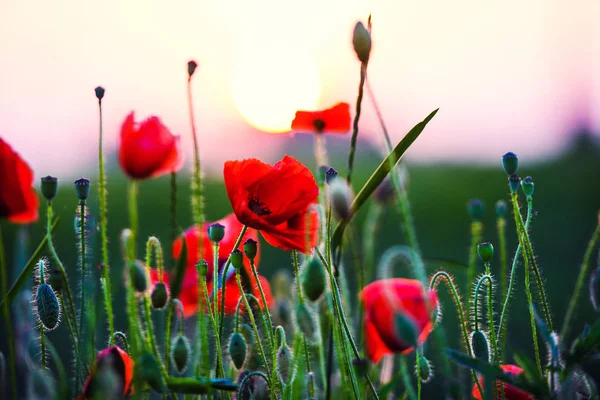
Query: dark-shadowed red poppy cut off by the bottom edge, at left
<point x="120" y="363"/>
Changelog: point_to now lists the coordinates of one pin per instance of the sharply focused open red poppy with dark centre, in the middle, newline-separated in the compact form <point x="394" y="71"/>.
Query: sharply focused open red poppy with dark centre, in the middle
<point x="276" y="200"/>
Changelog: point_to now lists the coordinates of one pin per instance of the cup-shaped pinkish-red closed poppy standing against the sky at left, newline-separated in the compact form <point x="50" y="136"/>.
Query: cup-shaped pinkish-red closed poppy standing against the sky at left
<point x="148" y="149"/>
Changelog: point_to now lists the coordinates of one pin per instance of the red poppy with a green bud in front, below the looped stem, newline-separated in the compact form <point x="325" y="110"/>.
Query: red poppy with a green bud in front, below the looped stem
<point x="385" y="298"/>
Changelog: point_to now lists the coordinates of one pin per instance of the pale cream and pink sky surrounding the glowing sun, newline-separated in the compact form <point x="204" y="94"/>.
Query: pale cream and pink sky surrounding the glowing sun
<point x="511" y="75"/>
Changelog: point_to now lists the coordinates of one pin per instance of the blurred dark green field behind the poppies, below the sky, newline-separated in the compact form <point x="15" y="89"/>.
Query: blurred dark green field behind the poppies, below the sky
<point x="567" y="200"/>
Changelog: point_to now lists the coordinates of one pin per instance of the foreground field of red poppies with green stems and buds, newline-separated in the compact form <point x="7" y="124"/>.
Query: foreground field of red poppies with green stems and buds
<point x="192" y="317"/>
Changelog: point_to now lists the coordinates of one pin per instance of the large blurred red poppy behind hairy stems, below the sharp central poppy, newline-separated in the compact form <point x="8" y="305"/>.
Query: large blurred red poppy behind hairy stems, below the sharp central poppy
<point x="193" y="238"/>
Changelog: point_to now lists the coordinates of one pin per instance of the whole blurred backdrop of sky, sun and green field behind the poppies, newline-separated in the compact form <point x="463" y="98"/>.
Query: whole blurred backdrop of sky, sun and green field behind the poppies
<point x="516" y="76"/>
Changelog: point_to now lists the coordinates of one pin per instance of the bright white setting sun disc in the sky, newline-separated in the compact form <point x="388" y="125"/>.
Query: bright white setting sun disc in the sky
<point x="269" y="85"/>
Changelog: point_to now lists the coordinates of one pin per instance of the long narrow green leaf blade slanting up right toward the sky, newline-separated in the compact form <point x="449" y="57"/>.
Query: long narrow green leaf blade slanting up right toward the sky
<point x="380" y="173"/>
